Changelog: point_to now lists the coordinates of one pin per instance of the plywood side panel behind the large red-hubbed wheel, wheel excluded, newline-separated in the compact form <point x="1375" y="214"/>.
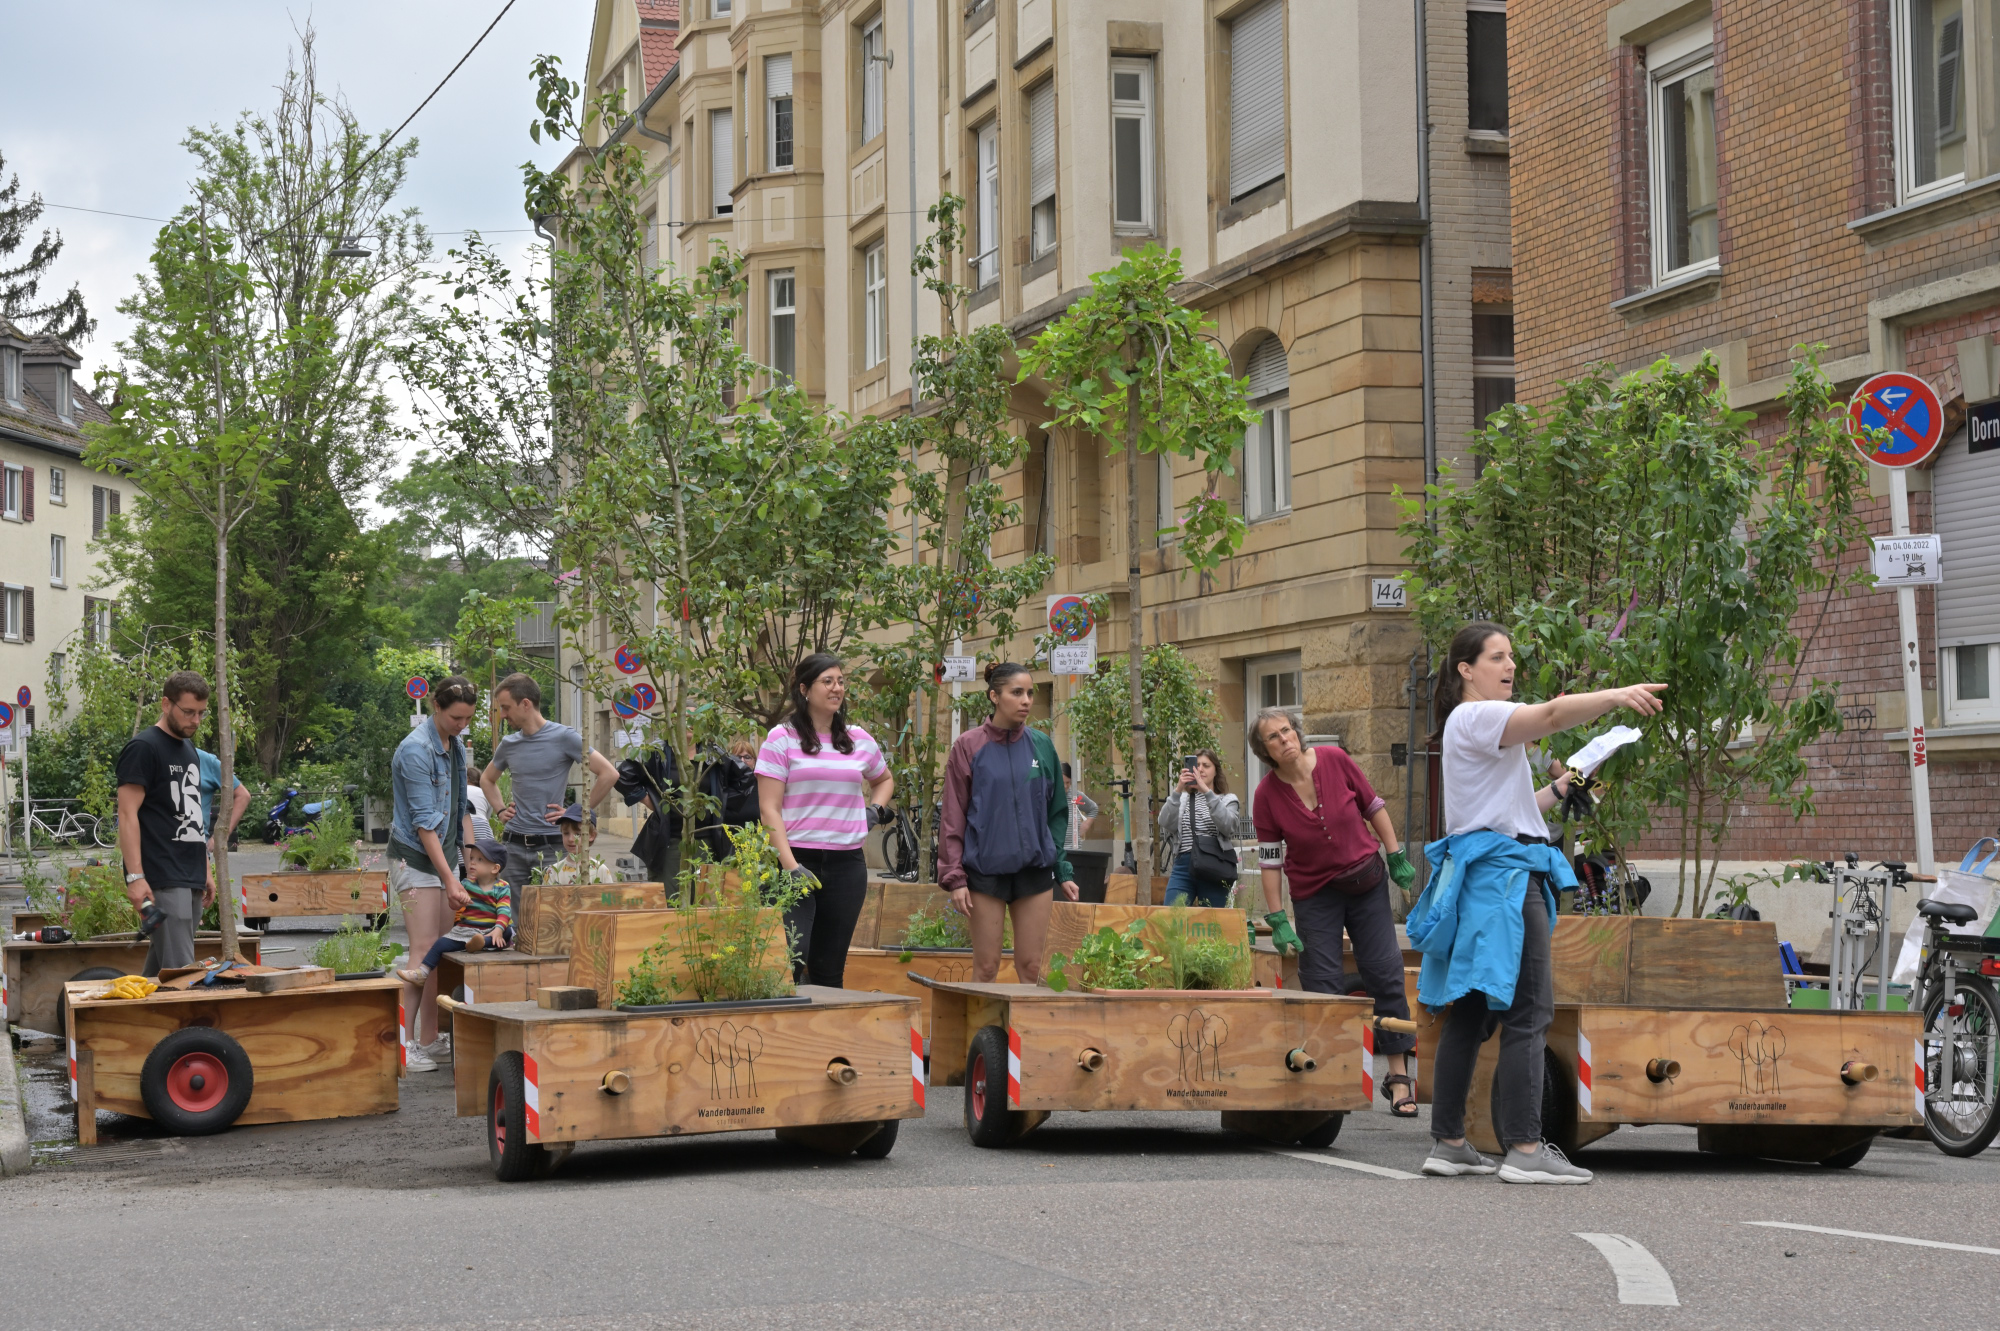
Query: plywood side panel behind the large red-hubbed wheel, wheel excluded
<point x="319" y="1054"/>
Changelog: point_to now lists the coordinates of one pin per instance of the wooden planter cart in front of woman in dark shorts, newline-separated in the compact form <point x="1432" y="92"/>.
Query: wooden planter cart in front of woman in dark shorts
<point x="1283" y="1066"/>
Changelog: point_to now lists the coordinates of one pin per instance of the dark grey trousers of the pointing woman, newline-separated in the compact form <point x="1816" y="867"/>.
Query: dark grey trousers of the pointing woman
<point x="1517" y="1102"/>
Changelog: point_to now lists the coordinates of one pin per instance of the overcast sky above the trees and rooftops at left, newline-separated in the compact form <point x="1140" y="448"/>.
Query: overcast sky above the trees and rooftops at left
<point x="95" y="101"/>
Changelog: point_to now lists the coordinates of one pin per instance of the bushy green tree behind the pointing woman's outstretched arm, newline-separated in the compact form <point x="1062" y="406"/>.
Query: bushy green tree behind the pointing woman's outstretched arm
<point x="1639" y="531"/>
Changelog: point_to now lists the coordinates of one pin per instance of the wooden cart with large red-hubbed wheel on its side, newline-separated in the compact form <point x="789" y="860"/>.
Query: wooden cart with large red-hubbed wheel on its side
<point x="205" y="1060"/>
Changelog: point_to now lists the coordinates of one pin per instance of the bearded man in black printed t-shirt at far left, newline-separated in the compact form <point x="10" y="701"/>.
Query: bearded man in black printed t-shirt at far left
<point x="161" y="830"/>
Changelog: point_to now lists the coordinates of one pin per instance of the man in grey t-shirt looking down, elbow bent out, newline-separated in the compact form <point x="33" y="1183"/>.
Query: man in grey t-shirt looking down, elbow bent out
<point x="539" y="754"/>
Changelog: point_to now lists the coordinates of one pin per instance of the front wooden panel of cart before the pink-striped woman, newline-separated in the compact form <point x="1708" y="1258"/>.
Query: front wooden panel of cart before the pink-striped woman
<point x="729" y="1070"/>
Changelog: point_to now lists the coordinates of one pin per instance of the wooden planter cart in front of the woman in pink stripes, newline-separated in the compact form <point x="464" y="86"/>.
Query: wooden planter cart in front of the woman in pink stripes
<point x="831" y="1068"/>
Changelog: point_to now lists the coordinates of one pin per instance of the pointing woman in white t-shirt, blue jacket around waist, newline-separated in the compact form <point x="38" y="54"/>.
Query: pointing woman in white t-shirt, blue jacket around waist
<point x="1483" y="922"/>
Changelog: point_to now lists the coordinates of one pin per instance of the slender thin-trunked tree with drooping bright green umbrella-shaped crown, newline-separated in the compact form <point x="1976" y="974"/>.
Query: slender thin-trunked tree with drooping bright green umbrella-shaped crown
<point x="1137" y="367"/>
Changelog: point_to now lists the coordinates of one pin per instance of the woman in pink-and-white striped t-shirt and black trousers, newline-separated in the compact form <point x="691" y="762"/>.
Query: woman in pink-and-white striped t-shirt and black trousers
<point x="821" y="786"/>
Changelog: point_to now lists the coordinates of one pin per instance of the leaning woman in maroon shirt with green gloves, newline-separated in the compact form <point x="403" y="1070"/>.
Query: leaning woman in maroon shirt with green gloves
<point x="1321" y="822"/>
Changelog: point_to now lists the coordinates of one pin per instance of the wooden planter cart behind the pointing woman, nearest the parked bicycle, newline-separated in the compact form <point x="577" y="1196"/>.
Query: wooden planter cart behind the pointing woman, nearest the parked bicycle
<point x="1687" y="1022"/>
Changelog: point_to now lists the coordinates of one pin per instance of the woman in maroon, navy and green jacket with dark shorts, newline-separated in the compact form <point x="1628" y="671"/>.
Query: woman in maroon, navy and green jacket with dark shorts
<point x="1003" y="828"/>
